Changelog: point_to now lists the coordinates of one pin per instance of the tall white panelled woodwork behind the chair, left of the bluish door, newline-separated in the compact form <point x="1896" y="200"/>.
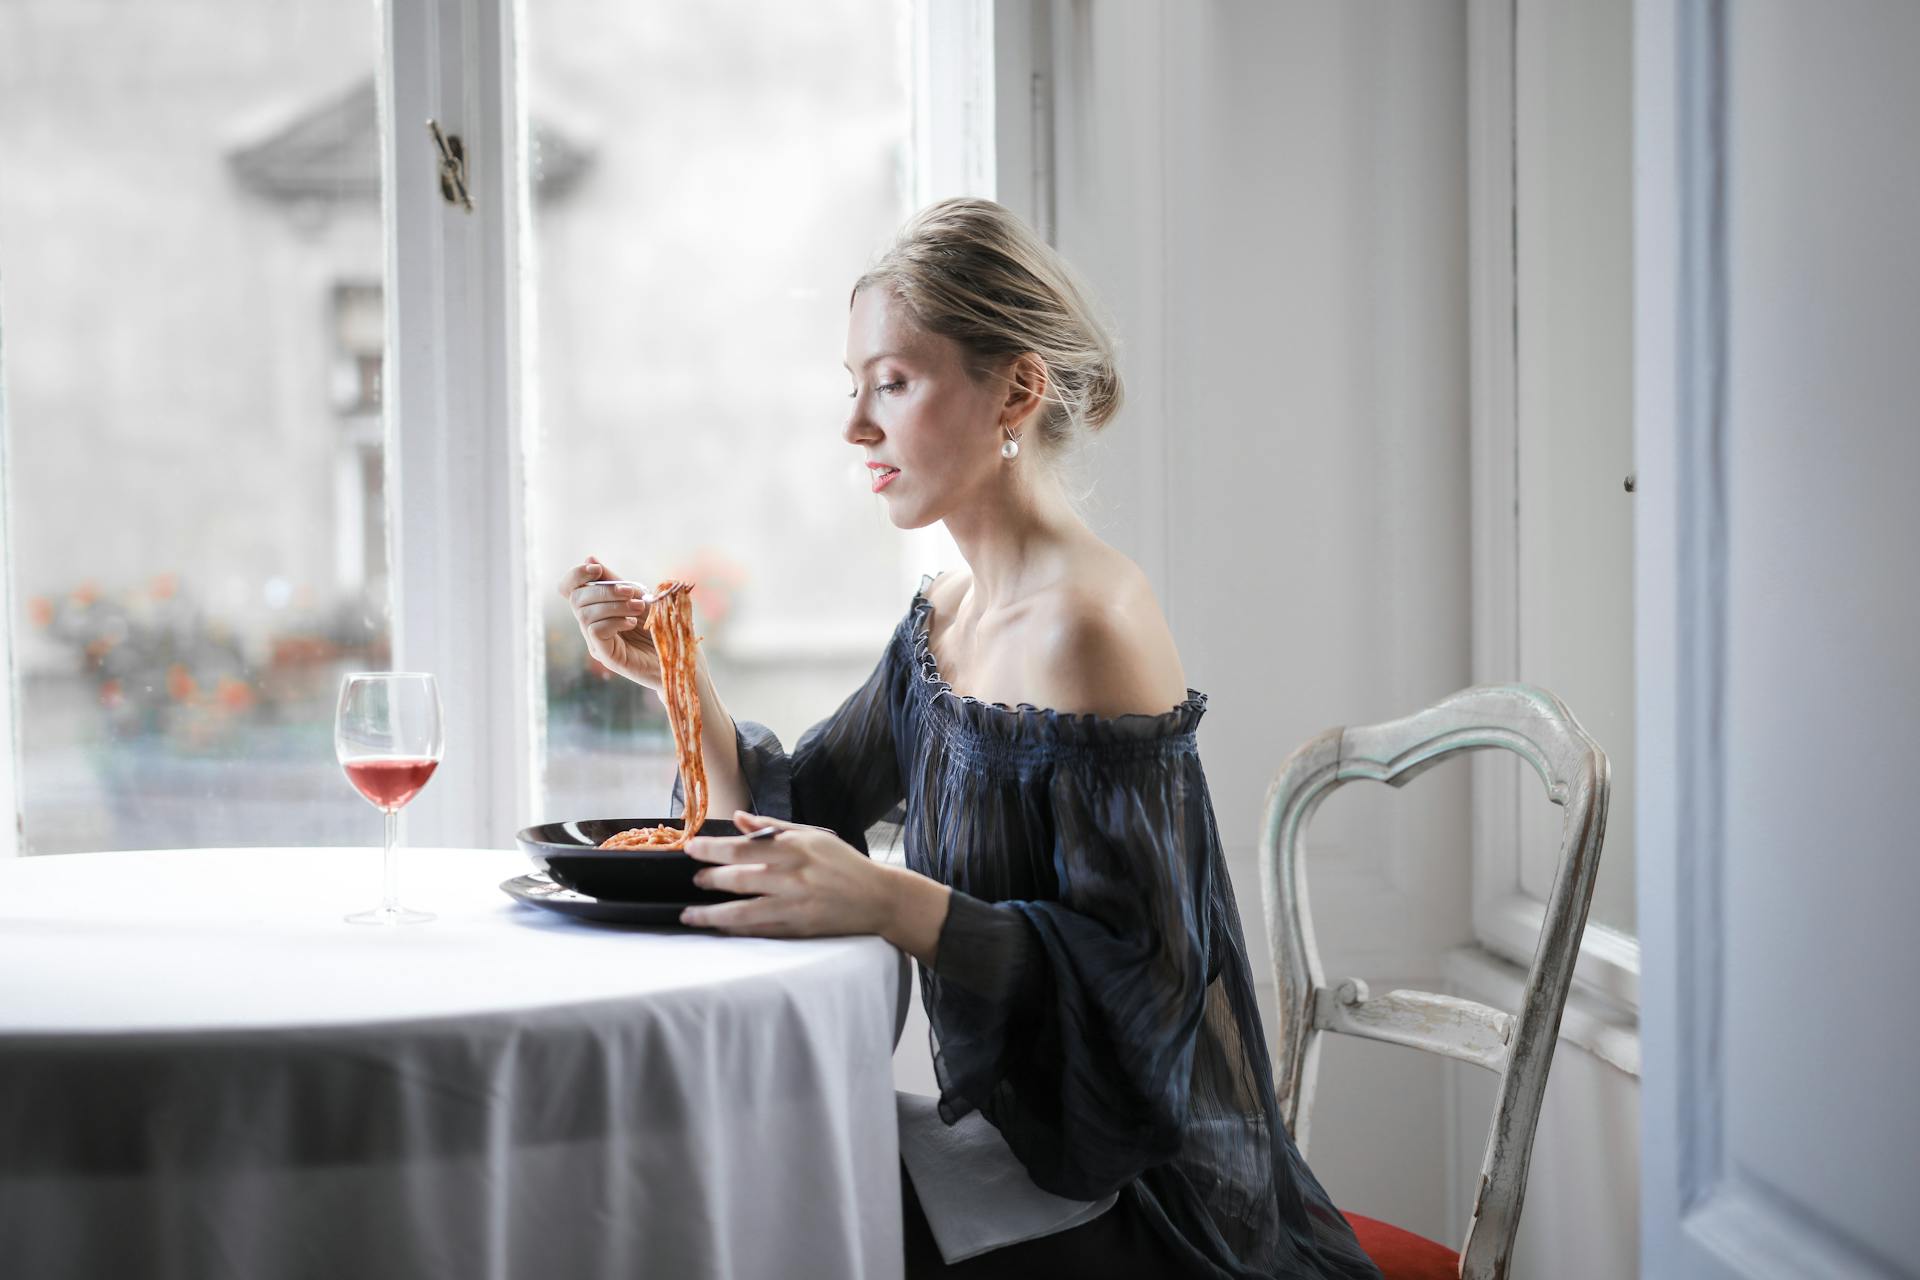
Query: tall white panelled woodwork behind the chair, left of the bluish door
<point x="1550" y="201"/>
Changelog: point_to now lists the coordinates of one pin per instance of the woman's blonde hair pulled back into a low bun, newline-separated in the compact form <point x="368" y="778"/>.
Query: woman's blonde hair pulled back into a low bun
<point x="974" y="273"/>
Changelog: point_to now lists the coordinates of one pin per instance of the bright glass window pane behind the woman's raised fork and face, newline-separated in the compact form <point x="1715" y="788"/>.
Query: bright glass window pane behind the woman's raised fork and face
<point x="709" y="181"/>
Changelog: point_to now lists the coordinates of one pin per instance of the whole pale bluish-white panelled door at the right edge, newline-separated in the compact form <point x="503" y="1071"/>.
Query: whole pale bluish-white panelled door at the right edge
<point x="1777" y="320"/>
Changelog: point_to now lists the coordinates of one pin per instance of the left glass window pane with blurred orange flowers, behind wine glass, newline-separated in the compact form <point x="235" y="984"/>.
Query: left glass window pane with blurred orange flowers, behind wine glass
<point x="191" y="279"/>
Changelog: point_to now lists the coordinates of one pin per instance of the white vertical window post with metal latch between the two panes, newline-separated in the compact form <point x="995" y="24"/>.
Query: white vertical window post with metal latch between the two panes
<point x="456" y="496"/>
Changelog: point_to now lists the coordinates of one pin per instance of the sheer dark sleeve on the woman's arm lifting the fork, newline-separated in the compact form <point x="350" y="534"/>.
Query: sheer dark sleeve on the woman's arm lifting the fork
<point x="842" y="776"/>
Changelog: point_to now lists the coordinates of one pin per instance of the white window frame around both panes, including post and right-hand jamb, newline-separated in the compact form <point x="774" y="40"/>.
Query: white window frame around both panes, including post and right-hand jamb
<point x="460" y="358"/>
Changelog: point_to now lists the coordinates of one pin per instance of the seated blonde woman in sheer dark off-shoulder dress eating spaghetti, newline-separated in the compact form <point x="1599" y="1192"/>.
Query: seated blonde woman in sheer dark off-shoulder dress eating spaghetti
<point x="1065" y="888"/>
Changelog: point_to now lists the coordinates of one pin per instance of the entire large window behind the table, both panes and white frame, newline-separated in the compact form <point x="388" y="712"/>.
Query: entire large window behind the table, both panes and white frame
<point x="277" y="410"/>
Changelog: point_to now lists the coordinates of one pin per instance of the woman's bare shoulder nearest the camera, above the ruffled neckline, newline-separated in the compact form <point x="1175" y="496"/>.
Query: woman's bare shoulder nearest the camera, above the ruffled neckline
<point x="1103" y="646"/>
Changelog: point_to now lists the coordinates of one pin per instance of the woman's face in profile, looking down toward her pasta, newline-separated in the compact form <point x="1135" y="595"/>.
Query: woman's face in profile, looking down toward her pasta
<point x="917" y="410"/>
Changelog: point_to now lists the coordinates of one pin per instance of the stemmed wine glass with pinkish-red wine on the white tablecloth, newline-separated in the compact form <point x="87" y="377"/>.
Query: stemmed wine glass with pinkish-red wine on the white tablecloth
<point x="389" y="740"/>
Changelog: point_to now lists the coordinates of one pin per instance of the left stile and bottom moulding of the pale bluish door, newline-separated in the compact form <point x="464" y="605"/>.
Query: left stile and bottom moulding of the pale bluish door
<point x="1704" y="1216"/>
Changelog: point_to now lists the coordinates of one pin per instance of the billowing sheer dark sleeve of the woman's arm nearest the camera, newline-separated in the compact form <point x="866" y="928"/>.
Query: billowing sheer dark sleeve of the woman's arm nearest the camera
<point x="1072" y="1020"/>
